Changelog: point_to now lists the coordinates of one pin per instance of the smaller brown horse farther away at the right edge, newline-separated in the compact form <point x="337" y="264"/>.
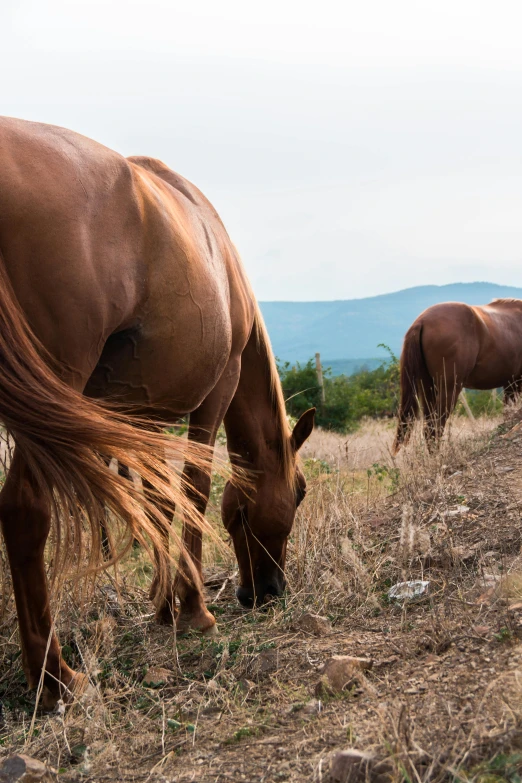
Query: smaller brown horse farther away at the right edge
<point x="452" y="346"/>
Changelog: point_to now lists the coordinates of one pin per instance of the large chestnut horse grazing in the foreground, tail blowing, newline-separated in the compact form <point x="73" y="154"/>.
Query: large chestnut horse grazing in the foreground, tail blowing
<point x="118" y="281"/>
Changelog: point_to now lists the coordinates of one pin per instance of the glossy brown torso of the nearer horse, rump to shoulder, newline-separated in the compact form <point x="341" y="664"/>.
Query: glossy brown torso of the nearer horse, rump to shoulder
<point x="95" y="245"/>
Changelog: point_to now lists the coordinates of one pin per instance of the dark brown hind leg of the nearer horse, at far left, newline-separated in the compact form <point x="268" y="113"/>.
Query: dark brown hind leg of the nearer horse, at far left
<point x="25" y="519"/>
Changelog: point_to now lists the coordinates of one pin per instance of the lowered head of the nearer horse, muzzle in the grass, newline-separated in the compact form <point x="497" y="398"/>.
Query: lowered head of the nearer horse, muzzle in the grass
<point x="260" y="523"/>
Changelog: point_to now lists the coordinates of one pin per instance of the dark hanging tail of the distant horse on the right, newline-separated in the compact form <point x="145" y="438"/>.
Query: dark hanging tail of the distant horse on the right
<point x="415" y="384"/>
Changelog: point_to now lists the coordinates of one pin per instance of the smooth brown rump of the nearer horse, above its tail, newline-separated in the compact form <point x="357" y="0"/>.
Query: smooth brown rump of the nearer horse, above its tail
<point x="70" y="236"/>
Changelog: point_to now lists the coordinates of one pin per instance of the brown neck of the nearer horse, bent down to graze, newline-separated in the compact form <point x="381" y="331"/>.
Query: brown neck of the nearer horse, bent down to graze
<point x="255" y="422"/>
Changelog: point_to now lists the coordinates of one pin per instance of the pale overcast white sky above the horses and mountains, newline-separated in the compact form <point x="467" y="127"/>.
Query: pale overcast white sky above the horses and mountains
<point x="352" y="148"/>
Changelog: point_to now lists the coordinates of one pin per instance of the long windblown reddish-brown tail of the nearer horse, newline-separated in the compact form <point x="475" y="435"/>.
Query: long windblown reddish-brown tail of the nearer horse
<point x="65" y="441"/>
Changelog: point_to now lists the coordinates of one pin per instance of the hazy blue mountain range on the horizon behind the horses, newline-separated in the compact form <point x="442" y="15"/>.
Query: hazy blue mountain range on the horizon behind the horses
<point x="346" y="331"/>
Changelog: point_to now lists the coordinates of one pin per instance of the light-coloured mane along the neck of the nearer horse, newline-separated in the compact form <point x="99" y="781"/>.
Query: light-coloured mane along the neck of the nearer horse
<point x="264" y="347"/>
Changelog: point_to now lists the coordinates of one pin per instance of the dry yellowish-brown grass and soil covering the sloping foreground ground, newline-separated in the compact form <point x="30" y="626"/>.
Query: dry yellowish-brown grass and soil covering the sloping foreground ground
<point x="444" y="699"/>
